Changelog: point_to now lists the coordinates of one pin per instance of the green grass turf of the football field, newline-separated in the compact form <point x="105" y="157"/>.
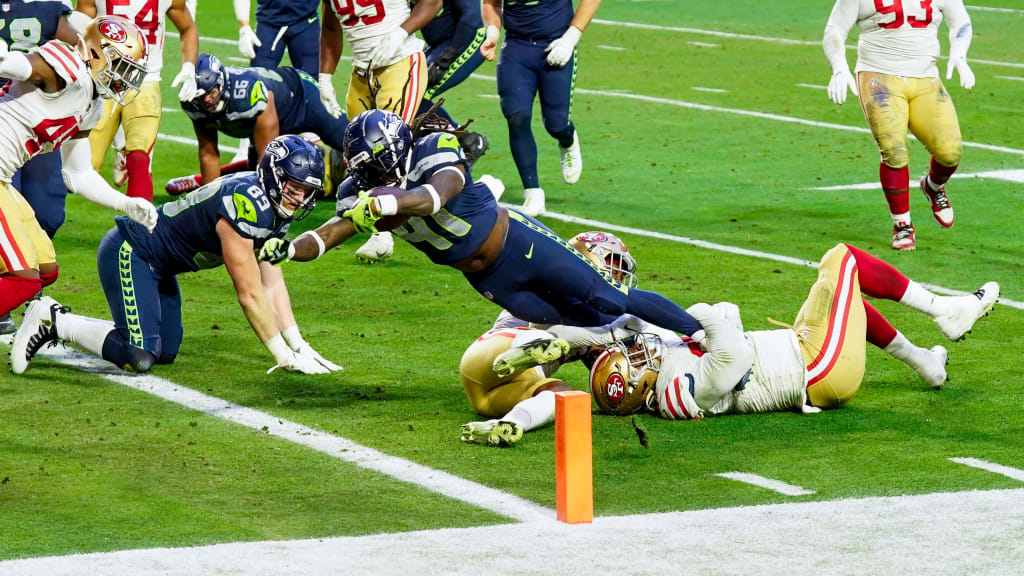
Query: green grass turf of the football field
<point x="89" y="466"/>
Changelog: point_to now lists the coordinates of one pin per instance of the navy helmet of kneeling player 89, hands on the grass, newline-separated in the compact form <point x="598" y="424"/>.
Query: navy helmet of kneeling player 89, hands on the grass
<point x="291" y="163"/>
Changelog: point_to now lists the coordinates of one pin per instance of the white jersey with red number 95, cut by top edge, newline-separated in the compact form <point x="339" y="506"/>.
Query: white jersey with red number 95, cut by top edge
<point x="364" y="33"/>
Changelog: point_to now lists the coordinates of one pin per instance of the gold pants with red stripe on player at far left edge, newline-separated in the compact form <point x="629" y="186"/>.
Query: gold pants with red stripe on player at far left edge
<point x="24" y="245"/>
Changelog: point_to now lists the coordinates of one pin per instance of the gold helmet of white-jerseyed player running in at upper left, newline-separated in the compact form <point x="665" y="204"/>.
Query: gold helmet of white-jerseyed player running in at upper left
<point x="117" y="53"/>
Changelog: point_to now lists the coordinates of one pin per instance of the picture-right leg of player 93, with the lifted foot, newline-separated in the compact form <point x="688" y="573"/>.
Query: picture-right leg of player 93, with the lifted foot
<point x="933" y="121"/>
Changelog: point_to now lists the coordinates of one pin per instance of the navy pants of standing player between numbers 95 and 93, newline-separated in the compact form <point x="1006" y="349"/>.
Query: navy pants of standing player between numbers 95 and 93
<point x="523" y="74"/>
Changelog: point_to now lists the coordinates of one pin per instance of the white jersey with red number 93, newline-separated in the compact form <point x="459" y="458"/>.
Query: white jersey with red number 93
<point x="899" y="37"/>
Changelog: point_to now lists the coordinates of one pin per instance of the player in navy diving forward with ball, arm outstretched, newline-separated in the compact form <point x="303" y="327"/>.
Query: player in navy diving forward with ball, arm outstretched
<point x="509" y="259"/>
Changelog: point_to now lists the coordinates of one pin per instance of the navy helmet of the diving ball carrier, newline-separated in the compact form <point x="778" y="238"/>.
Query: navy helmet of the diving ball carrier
<point x="378" y="147"/>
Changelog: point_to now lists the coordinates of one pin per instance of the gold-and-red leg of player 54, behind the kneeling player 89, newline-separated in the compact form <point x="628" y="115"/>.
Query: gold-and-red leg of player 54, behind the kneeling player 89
<point x="142" y="124"/>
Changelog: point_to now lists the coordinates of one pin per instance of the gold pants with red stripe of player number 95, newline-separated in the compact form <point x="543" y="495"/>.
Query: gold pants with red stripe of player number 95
<point x="399" y="88"/>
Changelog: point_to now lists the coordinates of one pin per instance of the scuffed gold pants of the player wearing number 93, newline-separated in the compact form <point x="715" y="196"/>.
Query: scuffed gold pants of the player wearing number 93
<point x="892" y="104"/>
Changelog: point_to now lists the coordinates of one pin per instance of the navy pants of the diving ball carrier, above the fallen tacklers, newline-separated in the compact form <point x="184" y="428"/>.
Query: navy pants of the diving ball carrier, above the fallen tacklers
<point x="542" y="279"/>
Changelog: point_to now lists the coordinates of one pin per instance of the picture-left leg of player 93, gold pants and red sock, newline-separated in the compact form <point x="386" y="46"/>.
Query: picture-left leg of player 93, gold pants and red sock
<point x="884" y="102"/>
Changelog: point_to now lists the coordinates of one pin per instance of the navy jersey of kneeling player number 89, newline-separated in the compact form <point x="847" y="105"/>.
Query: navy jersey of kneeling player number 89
<point x="186" y="238"/>
